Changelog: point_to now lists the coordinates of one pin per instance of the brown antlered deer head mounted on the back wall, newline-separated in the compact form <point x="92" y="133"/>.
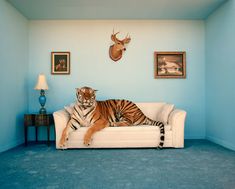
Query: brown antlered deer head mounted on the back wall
<point x="116" y="50"/>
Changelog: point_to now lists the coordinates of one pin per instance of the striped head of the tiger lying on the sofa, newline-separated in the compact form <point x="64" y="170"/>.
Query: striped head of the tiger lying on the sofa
<point x="86" y="96"/>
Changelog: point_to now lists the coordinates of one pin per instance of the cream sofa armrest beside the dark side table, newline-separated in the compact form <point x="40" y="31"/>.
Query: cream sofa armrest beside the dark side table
<point x="61" y="118"/>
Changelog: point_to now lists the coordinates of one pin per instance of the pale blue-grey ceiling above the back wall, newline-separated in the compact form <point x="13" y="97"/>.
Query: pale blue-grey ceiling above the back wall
<point x="116" y="9"/>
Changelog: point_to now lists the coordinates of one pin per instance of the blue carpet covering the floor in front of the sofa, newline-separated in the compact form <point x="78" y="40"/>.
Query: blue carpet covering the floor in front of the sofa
<point x="200" y="165"/>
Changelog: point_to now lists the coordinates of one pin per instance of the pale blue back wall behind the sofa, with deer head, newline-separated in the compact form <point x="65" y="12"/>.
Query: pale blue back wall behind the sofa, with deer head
<point x="131" y="78"/>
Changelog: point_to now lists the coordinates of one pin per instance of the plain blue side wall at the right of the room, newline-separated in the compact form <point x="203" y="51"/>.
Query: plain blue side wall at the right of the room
<point x="220" y="77"/>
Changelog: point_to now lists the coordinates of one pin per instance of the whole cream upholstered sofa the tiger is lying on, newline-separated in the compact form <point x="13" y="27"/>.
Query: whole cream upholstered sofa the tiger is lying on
<point x="129" y="136"/>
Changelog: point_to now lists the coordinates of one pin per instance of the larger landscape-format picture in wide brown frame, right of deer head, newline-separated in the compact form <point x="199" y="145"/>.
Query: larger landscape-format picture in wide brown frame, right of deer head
<point x="169" y="64"/>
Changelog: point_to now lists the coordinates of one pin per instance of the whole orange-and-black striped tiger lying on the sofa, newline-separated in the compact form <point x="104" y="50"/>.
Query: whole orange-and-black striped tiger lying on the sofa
<point x="88" y="112"/>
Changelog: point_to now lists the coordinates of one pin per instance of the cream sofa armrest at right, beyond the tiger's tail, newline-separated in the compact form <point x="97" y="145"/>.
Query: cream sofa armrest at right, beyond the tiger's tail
<point x="177" y="122"/>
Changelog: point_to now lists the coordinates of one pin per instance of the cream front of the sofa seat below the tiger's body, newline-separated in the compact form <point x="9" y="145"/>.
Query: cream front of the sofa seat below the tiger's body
<point x="120" y="137"/>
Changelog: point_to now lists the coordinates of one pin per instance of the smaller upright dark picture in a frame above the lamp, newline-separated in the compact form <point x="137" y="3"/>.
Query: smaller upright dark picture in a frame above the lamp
<point x="60" y="62"/>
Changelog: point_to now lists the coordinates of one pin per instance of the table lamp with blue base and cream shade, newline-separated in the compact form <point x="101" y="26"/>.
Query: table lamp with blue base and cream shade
<point x="42" y="86"/>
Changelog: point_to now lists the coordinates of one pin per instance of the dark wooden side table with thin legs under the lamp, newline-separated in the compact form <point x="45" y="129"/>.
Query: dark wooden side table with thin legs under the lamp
<point x="37" y="120"/>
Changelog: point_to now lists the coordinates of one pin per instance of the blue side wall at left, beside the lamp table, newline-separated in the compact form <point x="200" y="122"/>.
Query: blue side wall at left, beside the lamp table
<point x="14" y="71"/>
